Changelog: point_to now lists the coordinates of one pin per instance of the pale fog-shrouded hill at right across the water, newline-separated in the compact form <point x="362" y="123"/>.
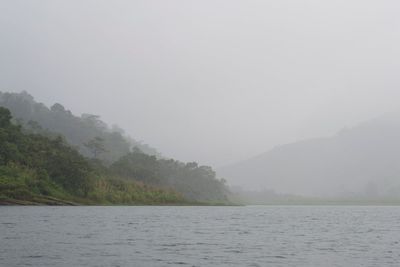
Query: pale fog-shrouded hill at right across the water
<point x="363" y="160"/>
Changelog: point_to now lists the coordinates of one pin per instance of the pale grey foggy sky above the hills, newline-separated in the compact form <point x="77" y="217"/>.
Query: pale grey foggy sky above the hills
<point x="213" y="81"/>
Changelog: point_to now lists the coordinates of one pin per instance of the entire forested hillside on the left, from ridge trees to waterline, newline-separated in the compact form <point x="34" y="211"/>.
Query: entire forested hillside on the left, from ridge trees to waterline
<point x="49" y="156"/>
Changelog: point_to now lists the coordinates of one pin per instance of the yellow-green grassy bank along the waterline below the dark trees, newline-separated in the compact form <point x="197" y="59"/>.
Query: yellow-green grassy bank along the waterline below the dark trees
<point x="22" y="186"/>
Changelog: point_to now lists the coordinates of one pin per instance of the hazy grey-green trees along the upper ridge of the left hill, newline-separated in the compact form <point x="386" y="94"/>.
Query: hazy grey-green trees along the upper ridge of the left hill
<point x="78" y="131"/>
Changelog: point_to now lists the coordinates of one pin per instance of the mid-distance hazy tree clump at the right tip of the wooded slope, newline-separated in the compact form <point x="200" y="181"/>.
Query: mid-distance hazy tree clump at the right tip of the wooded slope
<point x="195" y="182"/>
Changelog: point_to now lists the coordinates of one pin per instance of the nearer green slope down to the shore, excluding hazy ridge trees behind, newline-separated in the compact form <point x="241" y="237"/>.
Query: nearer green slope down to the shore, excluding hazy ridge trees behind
<point x="40" y="167"/>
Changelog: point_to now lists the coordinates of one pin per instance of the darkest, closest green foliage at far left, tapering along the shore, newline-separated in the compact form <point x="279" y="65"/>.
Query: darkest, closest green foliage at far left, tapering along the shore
<point x="36" y="168"/>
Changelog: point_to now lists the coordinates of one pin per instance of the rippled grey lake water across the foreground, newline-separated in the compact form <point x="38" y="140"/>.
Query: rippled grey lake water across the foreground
<point x="200" y="236"/>
